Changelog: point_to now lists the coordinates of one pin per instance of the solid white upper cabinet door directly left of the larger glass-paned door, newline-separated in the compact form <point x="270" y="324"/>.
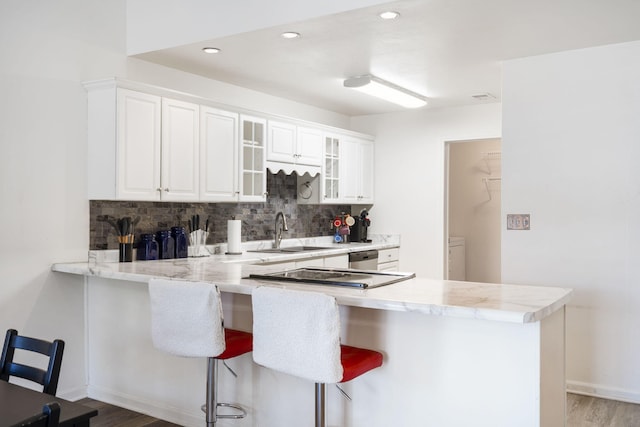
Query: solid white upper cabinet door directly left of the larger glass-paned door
<point x="218" y="155"/>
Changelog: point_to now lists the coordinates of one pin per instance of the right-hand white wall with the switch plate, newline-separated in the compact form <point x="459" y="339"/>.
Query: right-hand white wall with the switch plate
<point x="571" y="147"/>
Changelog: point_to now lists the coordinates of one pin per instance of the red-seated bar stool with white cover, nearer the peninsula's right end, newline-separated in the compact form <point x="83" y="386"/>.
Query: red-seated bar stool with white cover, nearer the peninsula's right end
<point x="298" y="333"/>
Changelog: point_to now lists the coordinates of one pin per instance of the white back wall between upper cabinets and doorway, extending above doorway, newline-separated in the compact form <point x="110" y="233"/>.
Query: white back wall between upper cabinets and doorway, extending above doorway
<point x="409" y="175"/>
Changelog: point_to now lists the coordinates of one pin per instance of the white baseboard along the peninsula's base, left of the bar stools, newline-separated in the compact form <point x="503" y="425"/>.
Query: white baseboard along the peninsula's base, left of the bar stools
<point x="154" y="409"/>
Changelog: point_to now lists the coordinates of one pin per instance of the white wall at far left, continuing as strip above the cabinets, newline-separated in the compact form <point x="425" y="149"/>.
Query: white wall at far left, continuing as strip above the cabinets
<point x="48" y="49"/>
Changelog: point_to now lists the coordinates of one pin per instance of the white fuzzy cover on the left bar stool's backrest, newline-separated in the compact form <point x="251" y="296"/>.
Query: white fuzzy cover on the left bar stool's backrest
<point x="186" y="318"/>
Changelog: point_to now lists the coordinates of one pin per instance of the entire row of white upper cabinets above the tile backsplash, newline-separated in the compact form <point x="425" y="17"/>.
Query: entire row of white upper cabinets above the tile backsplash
<point x="151" y="143"/>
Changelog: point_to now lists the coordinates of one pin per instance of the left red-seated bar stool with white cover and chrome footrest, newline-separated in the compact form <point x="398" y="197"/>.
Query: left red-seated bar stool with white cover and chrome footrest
<point x="186" y="320"/>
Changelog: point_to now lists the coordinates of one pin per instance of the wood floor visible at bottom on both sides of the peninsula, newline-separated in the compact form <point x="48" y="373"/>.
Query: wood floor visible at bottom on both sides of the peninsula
<point x="582" y="411"/>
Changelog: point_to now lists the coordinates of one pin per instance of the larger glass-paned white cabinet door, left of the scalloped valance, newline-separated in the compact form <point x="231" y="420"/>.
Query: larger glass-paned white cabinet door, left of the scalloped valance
<point x="253" y="180"/>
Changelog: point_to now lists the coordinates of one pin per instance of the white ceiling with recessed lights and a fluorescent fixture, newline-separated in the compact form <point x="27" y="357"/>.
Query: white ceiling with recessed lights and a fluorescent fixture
<point x="447" y="50"/>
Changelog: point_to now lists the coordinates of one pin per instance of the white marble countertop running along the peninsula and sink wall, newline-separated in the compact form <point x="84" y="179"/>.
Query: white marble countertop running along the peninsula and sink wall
<point x="498" y="302"/>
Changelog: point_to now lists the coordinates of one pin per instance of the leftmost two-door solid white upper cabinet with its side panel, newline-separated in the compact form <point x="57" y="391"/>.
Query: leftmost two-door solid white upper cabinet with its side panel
<point x="141" y="146"/>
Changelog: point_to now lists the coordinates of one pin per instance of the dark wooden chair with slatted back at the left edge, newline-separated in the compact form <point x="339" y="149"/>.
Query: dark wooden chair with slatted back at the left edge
<point x="49" y="378"/>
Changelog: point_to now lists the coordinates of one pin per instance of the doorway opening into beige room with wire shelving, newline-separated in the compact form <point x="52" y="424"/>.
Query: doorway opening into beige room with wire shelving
<point x="473" y="171"/>
